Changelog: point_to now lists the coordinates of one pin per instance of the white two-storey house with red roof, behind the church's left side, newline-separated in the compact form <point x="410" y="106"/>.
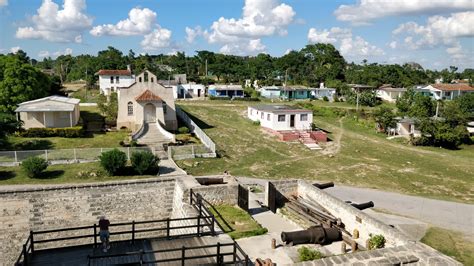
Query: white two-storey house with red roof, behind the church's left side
<point x="110" y="80"/>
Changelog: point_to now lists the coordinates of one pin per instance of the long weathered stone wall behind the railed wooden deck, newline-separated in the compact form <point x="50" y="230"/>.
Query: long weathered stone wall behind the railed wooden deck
<point x="56" y="207"/>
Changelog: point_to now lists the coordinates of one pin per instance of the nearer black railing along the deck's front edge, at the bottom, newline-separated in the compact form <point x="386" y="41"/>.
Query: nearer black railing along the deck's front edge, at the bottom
<point x="238" y="255"/>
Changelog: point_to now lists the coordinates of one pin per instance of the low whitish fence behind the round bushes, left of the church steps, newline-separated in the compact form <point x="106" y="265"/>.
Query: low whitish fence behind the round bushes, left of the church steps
<point x="66" y="156"/>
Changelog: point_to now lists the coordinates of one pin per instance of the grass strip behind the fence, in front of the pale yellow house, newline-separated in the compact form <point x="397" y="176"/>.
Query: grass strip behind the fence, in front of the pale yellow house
<point x="93" y="140"/>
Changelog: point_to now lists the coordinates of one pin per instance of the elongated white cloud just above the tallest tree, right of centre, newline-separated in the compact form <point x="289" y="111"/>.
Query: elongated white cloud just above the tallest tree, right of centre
<point x="348" y="44"/>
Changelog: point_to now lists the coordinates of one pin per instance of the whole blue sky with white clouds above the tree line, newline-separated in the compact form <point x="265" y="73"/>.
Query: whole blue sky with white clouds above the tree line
<point x="433" y="33"/>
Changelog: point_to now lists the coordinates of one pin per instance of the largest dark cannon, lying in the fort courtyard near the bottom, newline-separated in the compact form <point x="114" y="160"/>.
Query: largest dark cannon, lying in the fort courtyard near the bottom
<point x="312" y="235"/>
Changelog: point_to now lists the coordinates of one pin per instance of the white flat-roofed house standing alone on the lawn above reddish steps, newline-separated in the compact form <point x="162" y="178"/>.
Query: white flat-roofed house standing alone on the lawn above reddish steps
<point x="281" y="117"/>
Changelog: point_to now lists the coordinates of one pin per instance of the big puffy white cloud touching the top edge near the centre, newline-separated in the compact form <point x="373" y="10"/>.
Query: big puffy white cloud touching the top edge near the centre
<point x="260" y="18"/>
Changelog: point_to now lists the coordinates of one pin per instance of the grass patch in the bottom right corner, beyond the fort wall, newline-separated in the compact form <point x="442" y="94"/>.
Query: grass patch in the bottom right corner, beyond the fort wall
<point x="450" y="243"/>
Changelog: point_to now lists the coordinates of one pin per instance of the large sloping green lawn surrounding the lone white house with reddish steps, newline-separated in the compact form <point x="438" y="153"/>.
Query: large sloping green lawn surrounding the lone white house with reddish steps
<point x="356" y="155"/>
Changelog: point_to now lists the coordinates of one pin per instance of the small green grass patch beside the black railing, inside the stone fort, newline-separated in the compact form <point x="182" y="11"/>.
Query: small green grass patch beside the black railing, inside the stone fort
<point x="241" y="224"/>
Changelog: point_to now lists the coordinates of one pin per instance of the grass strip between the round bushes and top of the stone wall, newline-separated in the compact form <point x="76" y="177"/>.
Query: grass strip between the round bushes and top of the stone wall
<point x="60" y="174"/>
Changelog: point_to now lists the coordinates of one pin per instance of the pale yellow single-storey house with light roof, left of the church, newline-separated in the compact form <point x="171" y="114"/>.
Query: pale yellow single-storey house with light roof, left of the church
<point x="52" y="112"/>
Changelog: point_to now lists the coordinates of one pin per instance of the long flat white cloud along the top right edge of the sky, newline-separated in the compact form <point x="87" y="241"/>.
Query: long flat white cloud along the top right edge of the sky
<point x="365" y="11"/>
